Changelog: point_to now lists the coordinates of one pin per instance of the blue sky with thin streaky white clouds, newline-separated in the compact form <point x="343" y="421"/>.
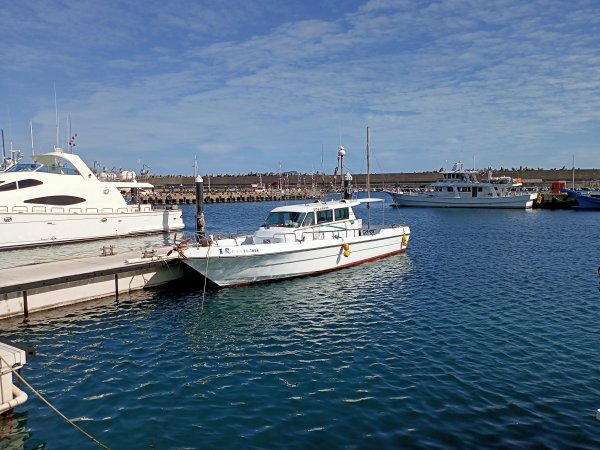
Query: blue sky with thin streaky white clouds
<point x="247" y="86"/>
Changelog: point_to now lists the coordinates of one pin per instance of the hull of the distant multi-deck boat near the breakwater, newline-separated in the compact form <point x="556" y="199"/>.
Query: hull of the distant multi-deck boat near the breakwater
<point x="510" y="202"/>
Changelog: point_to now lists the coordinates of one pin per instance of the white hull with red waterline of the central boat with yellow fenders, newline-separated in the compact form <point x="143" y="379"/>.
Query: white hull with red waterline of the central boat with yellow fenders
<point x="228" y="264"/>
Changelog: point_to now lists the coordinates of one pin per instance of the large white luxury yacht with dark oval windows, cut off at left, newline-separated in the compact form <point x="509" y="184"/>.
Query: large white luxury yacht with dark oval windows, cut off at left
<point x="59" y="199"/>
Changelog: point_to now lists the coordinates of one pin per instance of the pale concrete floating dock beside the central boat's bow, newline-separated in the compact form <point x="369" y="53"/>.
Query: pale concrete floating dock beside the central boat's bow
<point x="39" y="287"/>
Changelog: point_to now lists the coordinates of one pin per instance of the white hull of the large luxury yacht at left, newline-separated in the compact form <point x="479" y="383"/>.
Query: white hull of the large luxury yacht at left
<point x="35" y="229"/>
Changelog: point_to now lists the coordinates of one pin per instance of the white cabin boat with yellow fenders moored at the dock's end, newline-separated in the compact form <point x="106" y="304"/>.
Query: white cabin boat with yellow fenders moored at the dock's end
<point x="296" y="240"/>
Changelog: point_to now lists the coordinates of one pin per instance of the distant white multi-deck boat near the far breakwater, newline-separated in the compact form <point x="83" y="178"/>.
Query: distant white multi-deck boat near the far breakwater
<point x="460" y="188"/>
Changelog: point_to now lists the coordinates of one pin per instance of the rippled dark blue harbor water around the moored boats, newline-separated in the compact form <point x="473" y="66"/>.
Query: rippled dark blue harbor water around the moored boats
<point x="483" y="335"/>
